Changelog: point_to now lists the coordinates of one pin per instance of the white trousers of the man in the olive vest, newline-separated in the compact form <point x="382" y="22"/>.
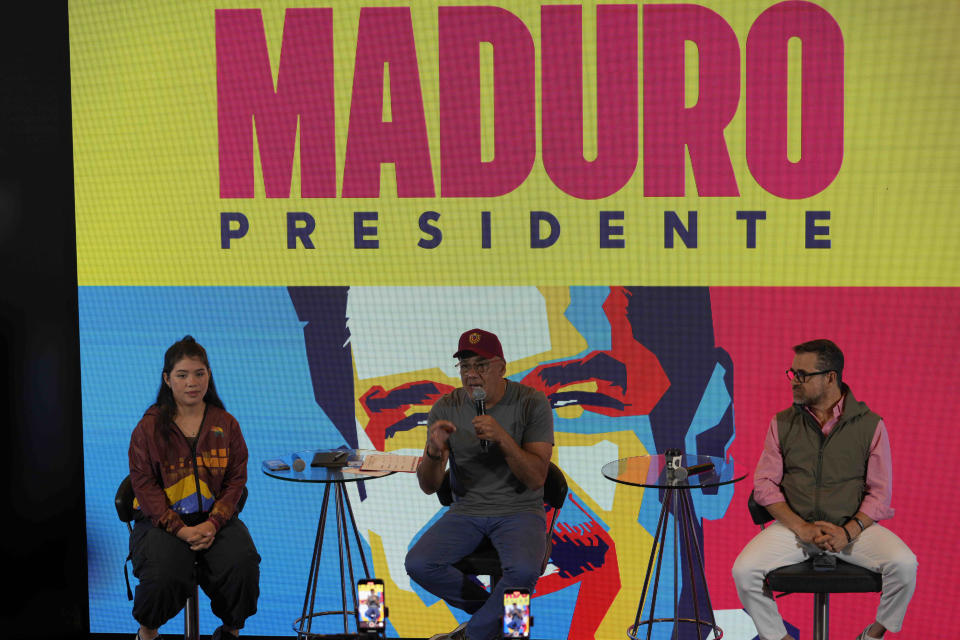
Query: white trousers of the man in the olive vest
<point x="877" y="549"/>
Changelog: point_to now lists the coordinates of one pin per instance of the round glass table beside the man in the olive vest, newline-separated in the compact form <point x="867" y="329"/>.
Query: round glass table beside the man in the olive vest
<point x="676" y="481"/>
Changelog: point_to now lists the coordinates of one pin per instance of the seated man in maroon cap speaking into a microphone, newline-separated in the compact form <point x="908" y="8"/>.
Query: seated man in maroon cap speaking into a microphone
<point x="499" y="453"/>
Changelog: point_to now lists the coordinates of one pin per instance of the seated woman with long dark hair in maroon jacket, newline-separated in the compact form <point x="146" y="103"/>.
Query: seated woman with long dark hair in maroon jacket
<point x="188" y="468"/>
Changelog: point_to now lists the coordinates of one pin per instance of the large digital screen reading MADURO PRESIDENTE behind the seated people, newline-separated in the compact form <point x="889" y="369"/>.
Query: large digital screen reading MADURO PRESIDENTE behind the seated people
<point x="649" y="203"/>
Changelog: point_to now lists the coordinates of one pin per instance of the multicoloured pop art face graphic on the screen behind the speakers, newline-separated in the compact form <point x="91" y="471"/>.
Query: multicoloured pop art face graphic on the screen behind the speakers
<point x="628" y="371"/>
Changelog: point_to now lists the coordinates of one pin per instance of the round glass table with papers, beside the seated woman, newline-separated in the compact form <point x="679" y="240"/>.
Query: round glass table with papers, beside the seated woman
<point x="298" y="468"/>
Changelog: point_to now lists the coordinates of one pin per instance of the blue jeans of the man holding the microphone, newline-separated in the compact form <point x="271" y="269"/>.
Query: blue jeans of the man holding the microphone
<point x="520" y="540"/>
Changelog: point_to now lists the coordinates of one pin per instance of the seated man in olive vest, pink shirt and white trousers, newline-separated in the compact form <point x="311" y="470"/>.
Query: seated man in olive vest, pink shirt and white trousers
<point x="825" y="474"/>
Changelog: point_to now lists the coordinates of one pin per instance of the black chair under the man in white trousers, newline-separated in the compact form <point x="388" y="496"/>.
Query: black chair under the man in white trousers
<point x="804" y="578"/>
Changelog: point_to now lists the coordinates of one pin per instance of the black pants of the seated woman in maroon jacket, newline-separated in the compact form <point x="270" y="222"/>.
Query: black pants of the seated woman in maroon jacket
<point x="228" y="572"/>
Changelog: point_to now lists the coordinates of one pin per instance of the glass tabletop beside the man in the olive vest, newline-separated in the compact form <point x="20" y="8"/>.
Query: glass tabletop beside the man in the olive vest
<point x="652" y="471"/>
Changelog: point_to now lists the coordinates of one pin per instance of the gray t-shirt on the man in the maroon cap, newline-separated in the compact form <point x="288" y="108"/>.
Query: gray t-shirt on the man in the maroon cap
<point x="482" y="483"/>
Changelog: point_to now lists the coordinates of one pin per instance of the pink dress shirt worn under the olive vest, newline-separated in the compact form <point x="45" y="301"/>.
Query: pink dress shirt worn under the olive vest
<point x="879" y="480"/>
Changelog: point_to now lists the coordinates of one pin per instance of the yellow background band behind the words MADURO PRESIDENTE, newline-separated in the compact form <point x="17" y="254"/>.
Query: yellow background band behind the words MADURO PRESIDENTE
<point x="147" y="183"/>
